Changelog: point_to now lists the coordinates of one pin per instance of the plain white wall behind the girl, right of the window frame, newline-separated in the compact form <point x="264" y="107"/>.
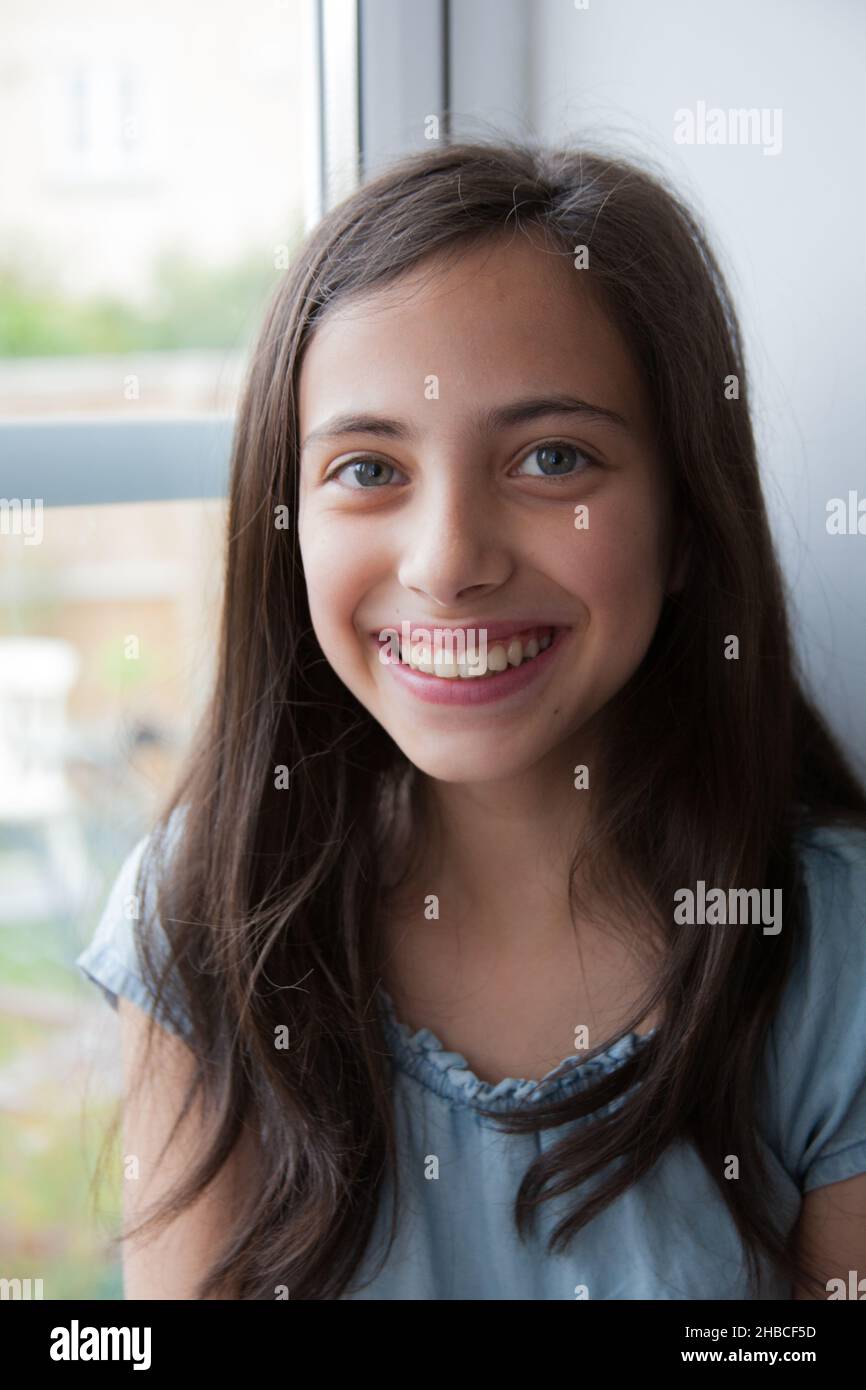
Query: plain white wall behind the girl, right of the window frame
<point x="792" y="233"/>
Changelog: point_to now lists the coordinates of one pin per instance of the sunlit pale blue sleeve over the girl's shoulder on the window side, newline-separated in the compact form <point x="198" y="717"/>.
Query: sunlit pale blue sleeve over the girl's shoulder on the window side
<point x="130" y="925"/>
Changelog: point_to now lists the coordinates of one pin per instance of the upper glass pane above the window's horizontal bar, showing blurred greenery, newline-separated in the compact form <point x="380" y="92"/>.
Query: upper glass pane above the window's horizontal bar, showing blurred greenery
<point x="155" y="186"/>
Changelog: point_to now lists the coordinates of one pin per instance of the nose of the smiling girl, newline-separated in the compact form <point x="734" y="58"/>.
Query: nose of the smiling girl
<point x="454" y="540"/>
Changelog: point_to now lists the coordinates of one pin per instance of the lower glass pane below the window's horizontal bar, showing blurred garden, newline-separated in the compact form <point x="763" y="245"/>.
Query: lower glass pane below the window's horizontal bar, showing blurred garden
<point x="108" y="640"/>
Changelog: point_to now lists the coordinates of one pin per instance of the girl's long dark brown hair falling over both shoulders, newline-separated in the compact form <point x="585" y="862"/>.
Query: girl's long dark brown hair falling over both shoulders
<point x="272" y="896"/>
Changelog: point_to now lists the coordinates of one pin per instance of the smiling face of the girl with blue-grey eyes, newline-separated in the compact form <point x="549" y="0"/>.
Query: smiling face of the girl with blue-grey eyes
<point x="480" y="490"/>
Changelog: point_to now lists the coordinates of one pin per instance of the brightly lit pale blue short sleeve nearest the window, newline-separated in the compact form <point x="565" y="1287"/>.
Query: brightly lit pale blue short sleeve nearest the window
<point x="112" y="960"/>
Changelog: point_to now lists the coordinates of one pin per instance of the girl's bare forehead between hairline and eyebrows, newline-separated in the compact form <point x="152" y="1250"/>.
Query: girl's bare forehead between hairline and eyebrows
<point x="500" y="319"/>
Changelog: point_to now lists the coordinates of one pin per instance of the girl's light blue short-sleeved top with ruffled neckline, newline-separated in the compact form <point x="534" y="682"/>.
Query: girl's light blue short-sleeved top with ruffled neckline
<point x="669" y="1236"/>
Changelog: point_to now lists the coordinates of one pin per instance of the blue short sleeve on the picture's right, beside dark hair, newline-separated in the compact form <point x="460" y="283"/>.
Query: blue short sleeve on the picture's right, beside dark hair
<point x="818" y="1057"/>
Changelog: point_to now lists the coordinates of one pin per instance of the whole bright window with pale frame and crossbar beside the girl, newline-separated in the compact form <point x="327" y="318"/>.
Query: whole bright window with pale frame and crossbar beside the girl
<point x="166" y="161"/>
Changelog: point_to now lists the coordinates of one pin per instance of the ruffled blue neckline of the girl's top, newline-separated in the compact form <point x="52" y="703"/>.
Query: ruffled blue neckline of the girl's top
<point x="423" y="1056"/>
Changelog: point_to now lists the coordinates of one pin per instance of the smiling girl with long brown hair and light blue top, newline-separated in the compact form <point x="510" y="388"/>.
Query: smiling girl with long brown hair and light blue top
<point x="418" y="1006"/>
